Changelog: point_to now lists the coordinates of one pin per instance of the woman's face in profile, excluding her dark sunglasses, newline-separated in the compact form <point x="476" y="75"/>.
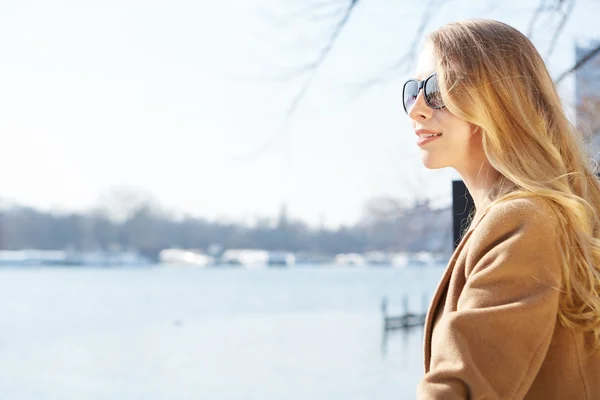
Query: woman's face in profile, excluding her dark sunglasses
<point x="459" y="145"/>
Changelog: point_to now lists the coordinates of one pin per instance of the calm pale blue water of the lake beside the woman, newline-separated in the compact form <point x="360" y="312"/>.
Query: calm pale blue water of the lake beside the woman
<point x="300" y="333"/>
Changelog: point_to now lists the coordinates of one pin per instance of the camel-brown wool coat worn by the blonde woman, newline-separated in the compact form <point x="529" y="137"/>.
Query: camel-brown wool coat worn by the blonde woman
<point x="492" y="330"/>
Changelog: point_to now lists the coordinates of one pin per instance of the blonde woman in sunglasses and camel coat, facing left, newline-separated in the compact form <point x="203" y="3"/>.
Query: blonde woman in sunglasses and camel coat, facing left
<point x="517" y="313"/>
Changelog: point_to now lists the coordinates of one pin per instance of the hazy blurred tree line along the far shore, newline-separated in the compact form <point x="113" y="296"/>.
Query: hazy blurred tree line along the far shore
<point x="148" y="230"/>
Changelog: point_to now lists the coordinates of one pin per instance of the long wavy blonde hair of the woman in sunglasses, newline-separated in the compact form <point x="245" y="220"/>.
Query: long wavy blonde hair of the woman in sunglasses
<point x="492" y="76"/>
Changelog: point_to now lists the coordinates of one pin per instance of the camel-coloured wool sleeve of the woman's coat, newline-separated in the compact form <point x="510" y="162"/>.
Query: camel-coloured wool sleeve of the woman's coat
<point x="493" y="344"/>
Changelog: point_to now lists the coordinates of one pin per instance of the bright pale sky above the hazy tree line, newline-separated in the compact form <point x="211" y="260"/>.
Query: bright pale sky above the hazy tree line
<point x="185" y="101"/>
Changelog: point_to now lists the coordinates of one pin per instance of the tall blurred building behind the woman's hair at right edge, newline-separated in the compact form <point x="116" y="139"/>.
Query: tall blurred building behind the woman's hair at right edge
<point x="587" y="97"/>
